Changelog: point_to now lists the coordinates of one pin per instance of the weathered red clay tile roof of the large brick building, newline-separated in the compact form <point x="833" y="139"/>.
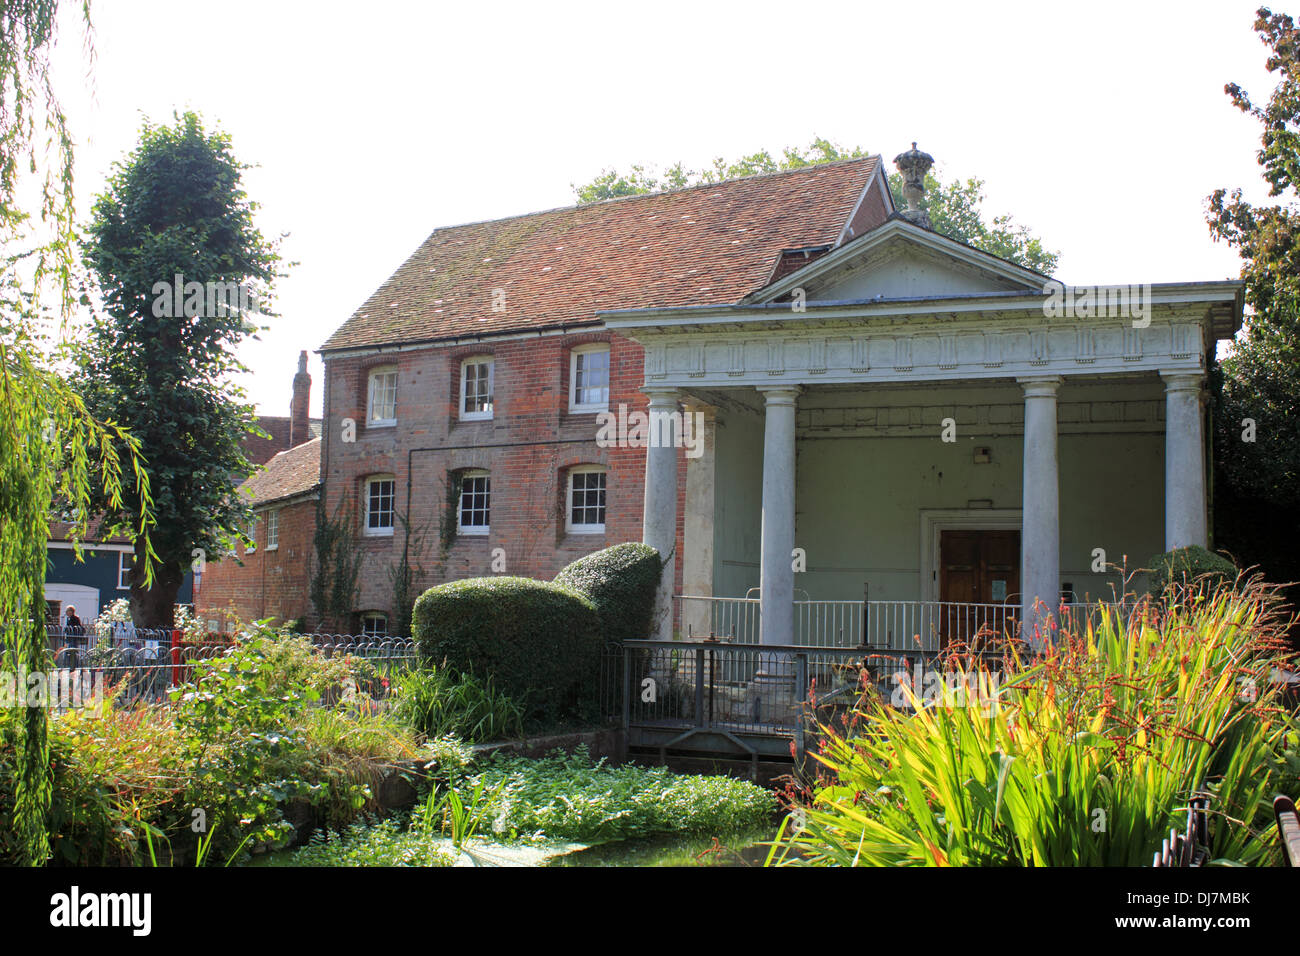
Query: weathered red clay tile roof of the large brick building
<point x="697" y="246"/>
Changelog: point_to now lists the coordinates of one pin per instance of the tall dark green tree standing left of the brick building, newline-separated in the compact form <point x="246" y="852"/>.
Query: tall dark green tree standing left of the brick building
<point x="181" y="270"/>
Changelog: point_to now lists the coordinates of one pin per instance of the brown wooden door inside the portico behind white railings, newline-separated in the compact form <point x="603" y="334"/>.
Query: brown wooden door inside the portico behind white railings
<point x="977" y="568"/>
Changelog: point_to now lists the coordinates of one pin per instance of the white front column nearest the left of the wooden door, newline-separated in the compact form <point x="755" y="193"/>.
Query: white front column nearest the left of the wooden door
<point x="777" y="579"/>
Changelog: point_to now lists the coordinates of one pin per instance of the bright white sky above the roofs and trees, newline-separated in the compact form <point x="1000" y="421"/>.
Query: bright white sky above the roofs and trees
<point x="1104" y="129"/>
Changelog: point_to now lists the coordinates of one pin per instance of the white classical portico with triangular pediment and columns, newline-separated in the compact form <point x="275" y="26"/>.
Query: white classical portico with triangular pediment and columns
<point x="928" y="422"/>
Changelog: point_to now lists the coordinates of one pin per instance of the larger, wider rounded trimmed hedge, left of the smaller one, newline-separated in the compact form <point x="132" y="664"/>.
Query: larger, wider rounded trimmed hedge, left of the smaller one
<point x="539" y="642"/>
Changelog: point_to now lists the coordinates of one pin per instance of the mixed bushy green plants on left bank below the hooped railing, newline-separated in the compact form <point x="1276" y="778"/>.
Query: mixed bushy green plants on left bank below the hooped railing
<point x="241" y="743"/>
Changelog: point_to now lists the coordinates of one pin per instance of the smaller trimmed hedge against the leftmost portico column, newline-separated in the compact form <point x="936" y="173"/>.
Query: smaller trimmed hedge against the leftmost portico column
<point x="622" y="582"/>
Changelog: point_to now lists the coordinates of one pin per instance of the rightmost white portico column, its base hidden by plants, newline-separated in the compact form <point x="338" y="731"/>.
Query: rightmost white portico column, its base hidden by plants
<point x="1185" y="461"/>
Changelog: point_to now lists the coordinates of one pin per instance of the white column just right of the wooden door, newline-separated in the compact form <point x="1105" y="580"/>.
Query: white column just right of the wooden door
<point x="1041" y="530"/>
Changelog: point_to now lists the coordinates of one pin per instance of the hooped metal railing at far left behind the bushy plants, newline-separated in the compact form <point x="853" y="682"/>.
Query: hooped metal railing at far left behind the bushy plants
<point x="144" y="665"/>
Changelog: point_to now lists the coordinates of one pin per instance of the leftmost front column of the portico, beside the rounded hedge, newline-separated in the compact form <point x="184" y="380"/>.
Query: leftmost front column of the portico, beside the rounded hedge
<point x="660" y="514"/>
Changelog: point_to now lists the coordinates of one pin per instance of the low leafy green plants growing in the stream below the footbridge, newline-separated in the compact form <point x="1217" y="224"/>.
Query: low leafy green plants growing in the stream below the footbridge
<point x="571" y="798"/>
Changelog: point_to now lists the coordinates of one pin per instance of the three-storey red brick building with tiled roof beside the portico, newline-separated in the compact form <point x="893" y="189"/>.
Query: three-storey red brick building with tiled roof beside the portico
<point x="462" y="399"/>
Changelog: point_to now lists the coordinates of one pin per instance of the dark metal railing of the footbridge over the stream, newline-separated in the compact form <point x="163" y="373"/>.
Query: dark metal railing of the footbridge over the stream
<point x="774" y="690"/>
